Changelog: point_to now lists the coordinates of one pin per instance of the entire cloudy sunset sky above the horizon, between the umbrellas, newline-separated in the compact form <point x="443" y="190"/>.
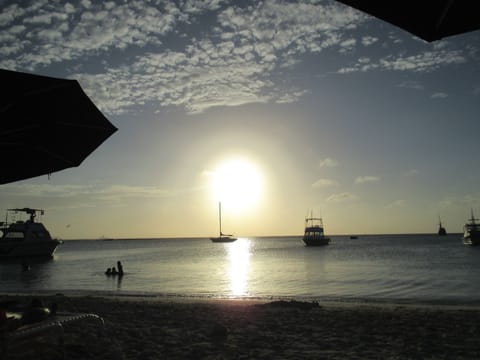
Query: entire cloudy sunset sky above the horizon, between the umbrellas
<point x="277" y="109"/>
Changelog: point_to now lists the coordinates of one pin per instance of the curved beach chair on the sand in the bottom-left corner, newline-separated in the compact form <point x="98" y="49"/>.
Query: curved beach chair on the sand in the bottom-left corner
<point x="52" y="326"/>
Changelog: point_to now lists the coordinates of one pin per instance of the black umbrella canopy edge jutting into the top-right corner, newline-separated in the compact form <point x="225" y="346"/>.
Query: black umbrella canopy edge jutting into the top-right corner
<point x="429" y="20"/>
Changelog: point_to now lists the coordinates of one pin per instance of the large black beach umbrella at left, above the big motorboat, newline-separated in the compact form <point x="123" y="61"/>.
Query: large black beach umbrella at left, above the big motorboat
<point x="46" y="125"/>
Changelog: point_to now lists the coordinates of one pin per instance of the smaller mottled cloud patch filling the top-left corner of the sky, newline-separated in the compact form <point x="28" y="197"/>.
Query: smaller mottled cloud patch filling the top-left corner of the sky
<point x="67" y="33"/>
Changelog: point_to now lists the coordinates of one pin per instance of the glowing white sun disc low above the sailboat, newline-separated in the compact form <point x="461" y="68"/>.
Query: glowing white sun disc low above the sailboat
<point x="237" y="183"/>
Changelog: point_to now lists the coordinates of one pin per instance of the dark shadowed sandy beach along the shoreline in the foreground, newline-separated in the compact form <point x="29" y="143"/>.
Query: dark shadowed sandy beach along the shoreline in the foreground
<point x="146" y="328"/>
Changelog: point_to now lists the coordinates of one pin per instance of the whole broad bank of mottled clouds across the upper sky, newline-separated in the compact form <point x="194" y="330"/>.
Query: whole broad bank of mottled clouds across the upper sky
<point x="131" y="53"/>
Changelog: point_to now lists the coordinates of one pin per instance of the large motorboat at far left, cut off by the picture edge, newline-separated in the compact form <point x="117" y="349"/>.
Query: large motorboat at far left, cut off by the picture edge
<point x="26" y="238"/>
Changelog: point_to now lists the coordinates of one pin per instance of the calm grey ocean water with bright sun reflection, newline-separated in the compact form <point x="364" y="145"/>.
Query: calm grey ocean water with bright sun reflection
<point x="384" y="268"/>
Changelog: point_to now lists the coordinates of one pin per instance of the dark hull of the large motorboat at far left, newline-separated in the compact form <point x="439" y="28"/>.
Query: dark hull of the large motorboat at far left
<point x="9" y="249"/>
